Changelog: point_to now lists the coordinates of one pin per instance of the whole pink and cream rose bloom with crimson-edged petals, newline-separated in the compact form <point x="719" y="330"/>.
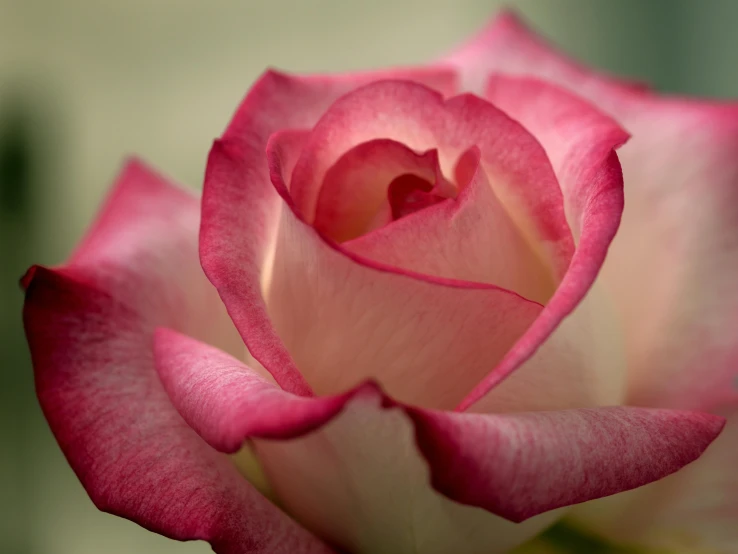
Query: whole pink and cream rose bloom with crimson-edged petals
<point x="428" y="310"/>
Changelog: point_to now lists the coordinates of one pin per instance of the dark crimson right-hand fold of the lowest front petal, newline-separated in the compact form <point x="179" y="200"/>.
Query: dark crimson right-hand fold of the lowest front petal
<point x="522" y="464"/>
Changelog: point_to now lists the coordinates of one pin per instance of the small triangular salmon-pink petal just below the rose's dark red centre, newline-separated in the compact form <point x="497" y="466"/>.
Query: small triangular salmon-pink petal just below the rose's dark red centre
<point x="471" y="238"/>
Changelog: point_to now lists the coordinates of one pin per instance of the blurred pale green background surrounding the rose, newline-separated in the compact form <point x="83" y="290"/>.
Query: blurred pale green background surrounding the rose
<point x="83" y="83"/>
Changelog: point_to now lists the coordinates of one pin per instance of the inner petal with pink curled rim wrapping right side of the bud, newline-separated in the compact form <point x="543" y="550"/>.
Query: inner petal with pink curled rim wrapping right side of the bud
<point x="580" y="143"/>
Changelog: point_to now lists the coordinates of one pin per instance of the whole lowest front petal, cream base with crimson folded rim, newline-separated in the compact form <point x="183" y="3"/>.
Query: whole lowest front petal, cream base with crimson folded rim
<point x="369" y="491"/>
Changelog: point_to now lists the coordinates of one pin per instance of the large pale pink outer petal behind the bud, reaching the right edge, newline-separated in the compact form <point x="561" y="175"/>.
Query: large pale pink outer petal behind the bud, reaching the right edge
<point x="672" y="267"/>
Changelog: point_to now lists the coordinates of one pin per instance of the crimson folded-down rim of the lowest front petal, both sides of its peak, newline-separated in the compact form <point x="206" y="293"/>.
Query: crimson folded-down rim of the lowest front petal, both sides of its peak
<point x="513" y="465"/>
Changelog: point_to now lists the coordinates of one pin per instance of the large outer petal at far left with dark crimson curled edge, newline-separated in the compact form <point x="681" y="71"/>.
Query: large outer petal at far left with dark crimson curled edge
<point x="89" y="326"/>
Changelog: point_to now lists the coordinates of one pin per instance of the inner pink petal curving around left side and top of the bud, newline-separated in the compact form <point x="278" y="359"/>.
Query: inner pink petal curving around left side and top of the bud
<point x="240" y="215"/>
